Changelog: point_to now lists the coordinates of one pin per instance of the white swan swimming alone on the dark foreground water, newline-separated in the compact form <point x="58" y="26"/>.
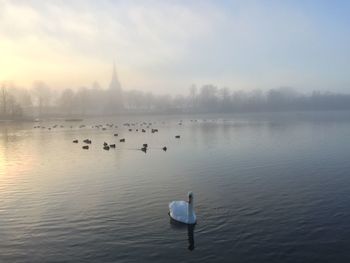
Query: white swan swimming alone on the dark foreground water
<point x="182" y="211"/>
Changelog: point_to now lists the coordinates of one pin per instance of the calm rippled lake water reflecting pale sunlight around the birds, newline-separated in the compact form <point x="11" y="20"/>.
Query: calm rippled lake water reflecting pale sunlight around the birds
<point x="267" y="188"/>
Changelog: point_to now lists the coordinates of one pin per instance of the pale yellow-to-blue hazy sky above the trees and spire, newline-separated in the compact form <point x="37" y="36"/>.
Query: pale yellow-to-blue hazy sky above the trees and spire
<point x="166" y="46"/>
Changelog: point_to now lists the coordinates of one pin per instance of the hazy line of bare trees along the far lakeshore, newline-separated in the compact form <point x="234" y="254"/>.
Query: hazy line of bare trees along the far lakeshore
<point x="41" y="100"/>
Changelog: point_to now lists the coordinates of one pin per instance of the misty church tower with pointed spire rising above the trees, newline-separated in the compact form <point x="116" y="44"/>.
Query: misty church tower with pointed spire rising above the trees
<point x="115" y="94"/>
